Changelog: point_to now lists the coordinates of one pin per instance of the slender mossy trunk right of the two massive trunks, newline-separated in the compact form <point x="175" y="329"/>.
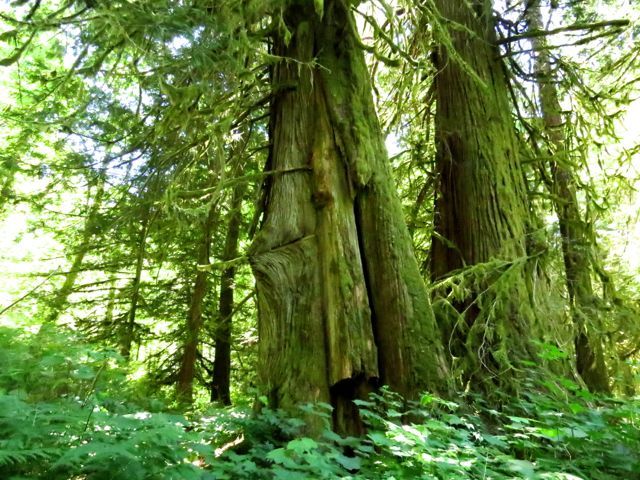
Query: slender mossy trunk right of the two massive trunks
<point x="575" y="243"/>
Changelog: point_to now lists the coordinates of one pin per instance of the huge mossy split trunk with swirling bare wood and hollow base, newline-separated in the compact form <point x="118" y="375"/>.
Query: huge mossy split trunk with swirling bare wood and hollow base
<point x="342" y="306"/>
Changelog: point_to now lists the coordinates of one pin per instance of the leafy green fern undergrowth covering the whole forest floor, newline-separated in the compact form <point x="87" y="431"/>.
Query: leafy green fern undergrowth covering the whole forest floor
<point x="69" y="411"/>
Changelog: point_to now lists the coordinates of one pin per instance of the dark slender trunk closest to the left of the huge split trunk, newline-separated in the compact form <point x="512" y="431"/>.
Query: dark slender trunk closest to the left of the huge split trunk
<point x="222" y="362"/>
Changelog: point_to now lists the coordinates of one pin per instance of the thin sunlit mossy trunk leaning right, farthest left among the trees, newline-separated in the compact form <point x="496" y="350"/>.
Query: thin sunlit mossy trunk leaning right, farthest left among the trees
<point x="88" y="234"/>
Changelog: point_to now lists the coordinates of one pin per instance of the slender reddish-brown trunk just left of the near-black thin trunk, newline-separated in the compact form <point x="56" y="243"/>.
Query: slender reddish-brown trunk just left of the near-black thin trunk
<point x="187" y="372"/>
